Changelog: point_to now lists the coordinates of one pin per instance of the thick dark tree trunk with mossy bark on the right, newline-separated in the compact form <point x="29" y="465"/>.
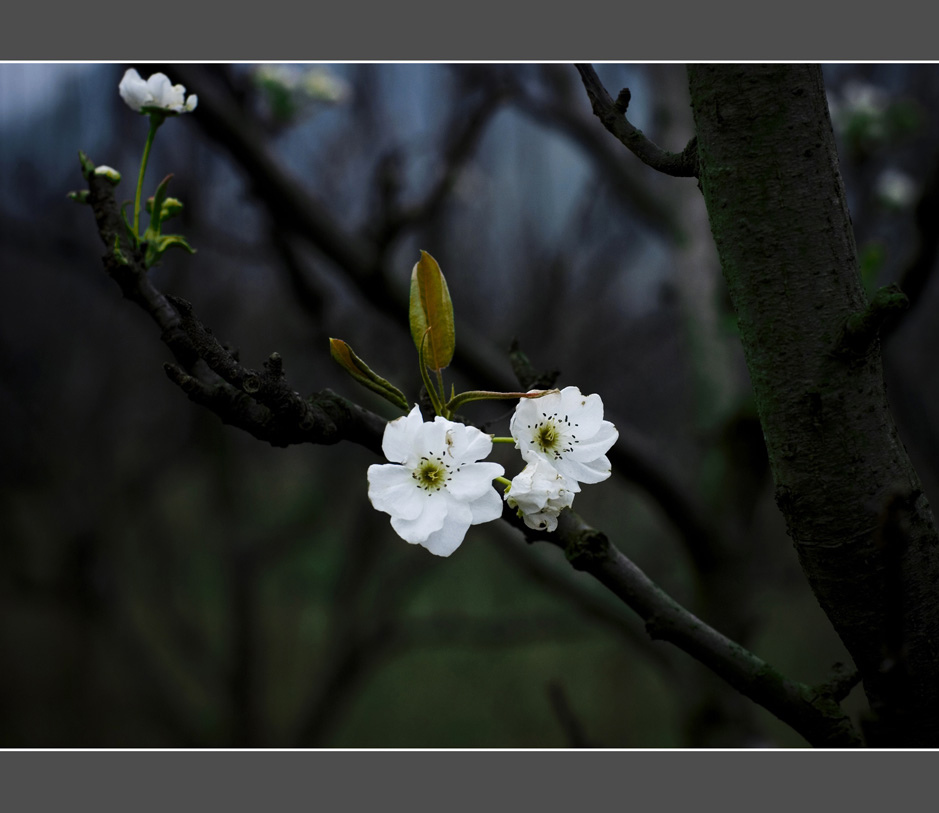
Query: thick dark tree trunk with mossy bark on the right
<point x="853" y="504"/>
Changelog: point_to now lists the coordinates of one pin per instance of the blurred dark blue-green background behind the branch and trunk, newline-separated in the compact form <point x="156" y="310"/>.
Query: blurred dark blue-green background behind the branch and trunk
<point x="166" y="580"/>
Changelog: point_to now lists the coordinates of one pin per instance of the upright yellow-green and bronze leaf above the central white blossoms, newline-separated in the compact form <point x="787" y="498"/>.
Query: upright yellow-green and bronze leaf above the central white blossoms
<point x="431" y="313"/>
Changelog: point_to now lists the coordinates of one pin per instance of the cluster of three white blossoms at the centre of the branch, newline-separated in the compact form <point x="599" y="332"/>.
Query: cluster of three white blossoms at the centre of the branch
<point x="434" y="487"/>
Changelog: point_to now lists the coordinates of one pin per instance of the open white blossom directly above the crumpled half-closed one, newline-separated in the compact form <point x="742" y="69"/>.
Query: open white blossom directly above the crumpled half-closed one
<point x="567" y="430"/>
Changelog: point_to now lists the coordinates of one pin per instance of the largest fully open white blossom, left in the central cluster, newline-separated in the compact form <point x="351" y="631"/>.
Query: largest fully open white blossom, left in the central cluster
<point x="434" y="488"/>
